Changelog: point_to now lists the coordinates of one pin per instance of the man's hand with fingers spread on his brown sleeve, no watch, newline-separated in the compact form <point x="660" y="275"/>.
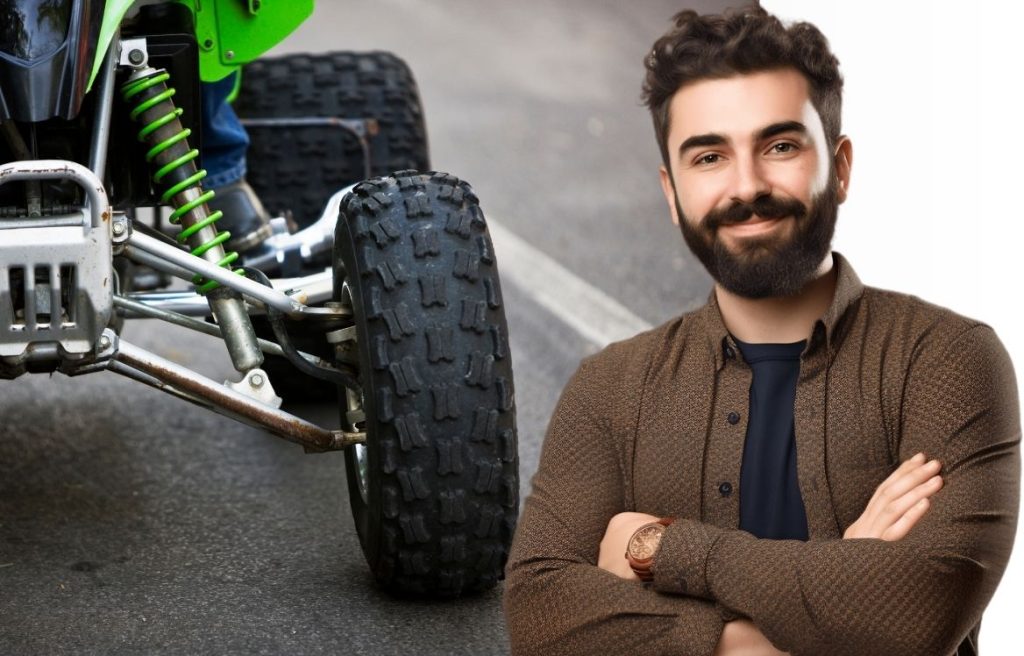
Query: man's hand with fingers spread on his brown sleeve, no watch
<point x="901" y="502"/>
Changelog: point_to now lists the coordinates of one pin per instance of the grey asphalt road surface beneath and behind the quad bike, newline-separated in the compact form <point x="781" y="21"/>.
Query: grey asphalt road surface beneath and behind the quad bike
<point x="133" y="522"/>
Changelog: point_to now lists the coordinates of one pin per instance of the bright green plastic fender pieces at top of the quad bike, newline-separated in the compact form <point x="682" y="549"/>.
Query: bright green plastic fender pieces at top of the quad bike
<point x="230" y="33"/>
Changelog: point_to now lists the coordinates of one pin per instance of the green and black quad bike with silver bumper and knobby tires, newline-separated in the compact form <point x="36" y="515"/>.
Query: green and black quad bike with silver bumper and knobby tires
<point x="377" y="289"/>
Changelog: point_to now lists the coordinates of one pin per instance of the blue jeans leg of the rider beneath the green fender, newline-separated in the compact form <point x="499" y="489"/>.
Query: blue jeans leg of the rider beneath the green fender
<point x="225" y="140"/>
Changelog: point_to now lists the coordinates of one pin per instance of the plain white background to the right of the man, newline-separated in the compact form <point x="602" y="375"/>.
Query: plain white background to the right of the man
<point x="933" y="106"/>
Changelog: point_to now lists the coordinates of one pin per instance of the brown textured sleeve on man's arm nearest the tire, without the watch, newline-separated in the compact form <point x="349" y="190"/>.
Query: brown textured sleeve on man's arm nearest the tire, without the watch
<point x="558" y="601"/>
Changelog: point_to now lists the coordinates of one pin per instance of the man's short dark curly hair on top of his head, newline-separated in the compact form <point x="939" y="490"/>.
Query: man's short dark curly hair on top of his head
<point x="741" y="41"/>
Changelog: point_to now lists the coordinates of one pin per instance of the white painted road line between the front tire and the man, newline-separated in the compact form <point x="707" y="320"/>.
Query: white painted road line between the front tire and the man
<point x="595" y="316"/>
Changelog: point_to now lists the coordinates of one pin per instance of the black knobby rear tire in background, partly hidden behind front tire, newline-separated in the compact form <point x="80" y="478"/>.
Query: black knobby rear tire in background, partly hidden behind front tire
<point x="298" y="169"/>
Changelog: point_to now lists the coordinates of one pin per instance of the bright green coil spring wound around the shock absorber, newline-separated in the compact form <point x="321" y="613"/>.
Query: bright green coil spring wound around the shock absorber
<point x="193" y="177"/>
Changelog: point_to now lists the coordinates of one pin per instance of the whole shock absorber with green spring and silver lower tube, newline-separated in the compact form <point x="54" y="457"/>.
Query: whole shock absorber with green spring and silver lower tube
<point x="151" y="99"/>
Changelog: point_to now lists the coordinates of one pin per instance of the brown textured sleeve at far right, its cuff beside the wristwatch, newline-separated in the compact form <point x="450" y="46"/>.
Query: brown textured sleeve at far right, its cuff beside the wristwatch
<point x="917" y="596"/>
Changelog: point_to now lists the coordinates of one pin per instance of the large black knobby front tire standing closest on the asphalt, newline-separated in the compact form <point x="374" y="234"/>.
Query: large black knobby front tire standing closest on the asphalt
<point x="443" y="463"/>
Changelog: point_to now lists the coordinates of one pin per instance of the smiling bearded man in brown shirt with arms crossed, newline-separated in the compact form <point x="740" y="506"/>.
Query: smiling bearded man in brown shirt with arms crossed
<point x="804" y="465"/>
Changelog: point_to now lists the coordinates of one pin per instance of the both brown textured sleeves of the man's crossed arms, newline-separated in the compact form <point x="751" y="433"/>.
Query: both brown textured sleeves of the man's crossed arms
<point x="919" y="595"/>
